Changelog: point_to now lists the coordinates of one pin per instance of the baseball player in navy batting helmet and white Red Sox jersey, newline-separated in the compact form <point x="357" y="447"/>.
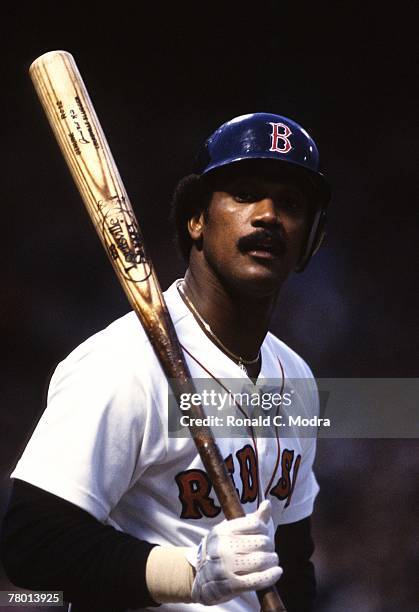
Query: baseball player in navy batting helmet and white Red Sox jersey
<point x="109" y="508"/>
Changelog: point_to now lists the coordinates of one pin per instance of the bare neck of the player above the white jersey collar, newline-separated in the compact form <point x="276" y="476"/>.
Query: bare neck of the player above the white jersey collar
<point x="240" y="322"/>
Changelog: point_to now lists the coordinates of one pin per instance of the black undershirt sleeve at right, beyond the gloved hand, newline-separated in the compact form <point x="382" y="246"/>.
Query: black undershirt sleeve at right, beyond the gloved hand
<point x="297" y="585"/>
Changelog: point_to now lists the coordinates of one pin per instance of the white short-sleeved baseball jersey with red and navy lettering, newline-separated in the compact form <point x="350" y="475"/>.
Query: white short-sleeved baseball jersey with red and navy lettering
<point x="102" y="442"/>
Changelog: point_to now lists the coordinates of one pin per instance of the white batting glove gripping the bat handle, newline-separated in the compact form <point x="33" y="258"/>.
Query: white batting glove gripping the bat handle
<point x="236" y="556"/>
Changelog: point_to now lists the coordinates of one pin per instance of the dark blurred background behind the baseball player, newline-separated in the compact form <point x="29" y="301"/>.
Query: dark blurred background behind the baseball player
<point x="162" y="77"/>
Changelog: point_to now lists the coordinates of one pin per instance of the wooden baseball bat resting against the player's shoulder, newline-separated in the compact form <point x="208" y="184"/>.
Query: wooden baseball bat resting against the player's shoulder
<point x="74" y="122"/>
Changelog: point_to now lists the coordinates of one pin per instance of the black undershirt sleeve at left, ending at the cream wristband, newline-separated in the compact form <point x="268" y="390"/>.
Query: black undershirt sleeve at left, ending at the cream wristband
<point x="50" y="544"/>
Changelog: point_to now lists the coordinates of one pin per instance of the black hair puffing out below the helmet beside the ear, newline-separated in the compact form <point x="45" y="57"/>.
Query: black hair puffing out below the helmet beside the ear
<point x="191" y="196"/>
